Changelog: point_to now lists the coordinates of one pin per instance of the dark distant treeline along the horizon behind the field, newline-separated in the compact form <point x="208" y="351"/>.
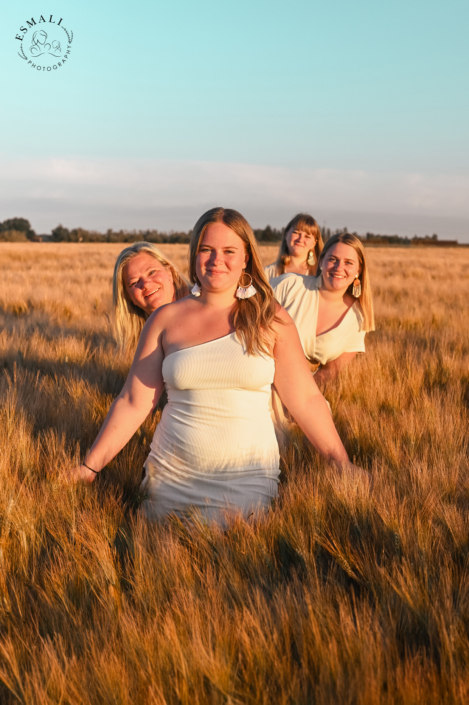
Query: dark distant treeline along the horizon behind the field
<point x="19" y="230"/>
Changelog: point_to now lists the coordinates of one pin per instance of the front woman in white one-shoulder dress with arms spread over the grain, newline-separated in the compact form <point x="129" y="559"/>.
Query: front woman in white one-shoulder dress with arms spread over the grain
<point x="217" y="352"/>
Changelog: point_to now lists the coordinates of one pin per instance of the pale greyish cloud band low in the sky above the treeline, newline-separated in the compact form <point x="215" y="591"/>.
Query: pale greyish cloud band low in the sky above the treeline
<point x="126" y="193"/>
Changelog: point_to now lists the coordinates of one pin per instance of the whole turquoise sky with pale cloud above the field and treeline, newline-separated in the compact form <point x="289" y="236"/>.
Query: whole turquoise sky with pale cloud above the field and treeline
<point x="357" y="113"/>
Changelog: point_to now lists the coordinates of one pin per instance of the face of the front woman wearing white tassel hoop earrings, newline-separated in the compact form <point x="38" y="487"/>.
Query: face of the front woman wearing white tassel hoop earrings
<point x="221" y="258"/>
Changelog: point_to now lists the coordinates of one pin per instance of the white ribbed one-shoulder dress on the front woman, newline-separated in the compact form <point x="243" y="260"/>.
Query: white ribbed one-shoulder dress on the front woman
<point x="214" y="449"/>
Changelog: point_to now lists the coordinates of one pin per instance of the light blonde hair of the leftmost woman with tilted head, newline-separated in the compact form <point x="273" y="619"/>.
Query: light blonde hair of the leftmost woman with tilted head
<point x="129" y="319"/>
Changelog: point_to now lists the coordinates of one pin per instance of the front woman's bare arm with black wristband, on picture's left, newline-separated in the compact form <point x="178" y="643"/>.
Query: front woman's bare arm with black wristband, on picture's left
<point x="138" y="397"/>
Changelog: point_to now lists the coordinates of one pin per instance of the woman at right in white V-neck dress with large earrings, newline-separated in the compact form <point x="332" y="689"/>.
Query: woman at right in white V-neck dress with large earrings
<point x="334" y="311"/>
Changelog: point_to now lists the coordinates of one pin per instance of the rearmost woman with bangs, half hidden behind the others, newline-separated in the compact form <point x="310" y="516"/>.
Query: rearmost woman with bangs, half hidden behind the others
<point x="299" y="250"/>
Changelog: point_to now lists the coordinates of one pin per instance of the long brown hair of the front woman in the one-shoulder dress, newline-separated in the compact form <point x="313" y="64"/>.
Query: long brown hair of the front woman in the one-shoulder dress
<point x="251" y="318"/>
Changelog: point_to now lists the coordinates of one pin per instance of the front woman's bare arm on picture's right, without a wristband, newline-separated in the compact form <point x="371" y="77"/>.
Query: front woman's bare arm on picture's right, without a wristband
<point x="300" y="394"/>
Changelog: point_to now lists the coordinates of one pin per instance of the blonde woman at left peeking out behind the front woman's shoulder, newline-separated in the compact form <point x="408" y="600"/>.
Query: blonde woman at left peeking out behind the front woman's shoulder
<point x="143" y="281"/>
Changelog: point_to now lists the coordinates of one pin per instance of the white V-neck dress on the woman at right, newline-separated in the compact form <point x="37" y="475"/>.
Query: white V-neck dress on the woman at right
<point x="299" y="295"/>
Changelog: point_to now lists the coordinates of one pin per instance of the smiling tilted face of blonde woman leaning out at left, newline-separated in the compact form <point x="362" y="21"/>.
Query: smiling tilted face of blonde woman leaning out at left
<point x="148" y="284"/>
